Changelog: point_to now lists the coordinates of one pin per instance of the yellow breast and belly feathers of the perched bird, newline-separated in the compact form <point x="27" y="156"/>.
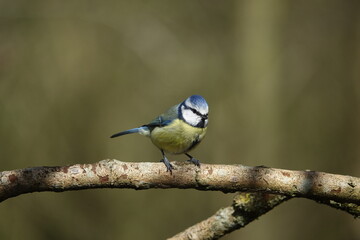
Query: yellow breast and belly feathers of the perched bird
<point x="177" y="137"/>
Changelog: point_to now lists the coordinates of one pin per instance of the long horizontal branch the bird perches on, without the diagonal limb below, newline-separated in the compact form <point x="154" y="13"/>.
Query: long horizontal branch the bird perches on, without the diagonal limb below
<point x="318" y="186"/>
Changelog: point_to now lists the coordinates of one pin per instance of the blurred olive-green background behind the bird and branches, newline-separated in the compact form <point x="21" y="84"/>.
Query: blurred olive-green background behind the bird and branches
<point x="282" y="79"/>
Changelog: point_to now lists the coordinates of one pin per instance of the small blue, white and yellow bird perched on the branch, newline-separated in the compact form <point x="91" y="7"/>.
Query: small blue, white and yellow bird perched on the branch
<point x="178" y="130"/>
